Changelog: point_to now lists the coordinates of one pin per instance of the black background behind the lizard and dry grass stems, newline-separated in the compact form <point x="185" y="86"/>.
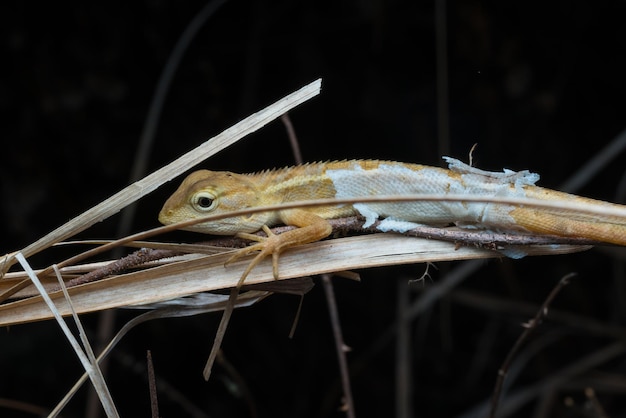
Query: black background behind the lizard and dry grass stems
<point x="538" y="85"/>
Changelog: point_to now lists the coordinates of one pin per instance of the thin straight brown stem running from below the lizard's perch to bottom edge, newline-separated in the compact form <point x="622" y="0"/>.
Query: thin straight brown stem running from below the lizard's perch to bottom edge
<point x="339" y="345"/>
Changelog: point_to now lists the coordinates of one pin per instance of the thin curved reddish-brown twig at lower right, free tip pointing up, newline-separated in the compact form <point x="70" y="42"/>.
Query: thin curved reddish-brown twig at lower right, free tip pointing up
<point x="529" y="329"/>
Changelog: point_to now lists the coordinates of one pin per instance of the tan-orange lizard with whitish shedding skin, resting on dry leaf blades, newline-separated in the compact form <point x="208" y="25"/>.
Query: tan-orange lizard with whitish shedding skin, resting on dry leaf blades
<point x="206" y="192"/>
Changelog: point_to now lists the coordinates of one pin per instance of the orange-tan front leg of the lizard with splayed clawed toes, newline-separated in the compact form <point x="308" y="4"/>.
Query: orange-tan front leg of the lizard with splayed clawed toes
<point x="310" y="228"/>
